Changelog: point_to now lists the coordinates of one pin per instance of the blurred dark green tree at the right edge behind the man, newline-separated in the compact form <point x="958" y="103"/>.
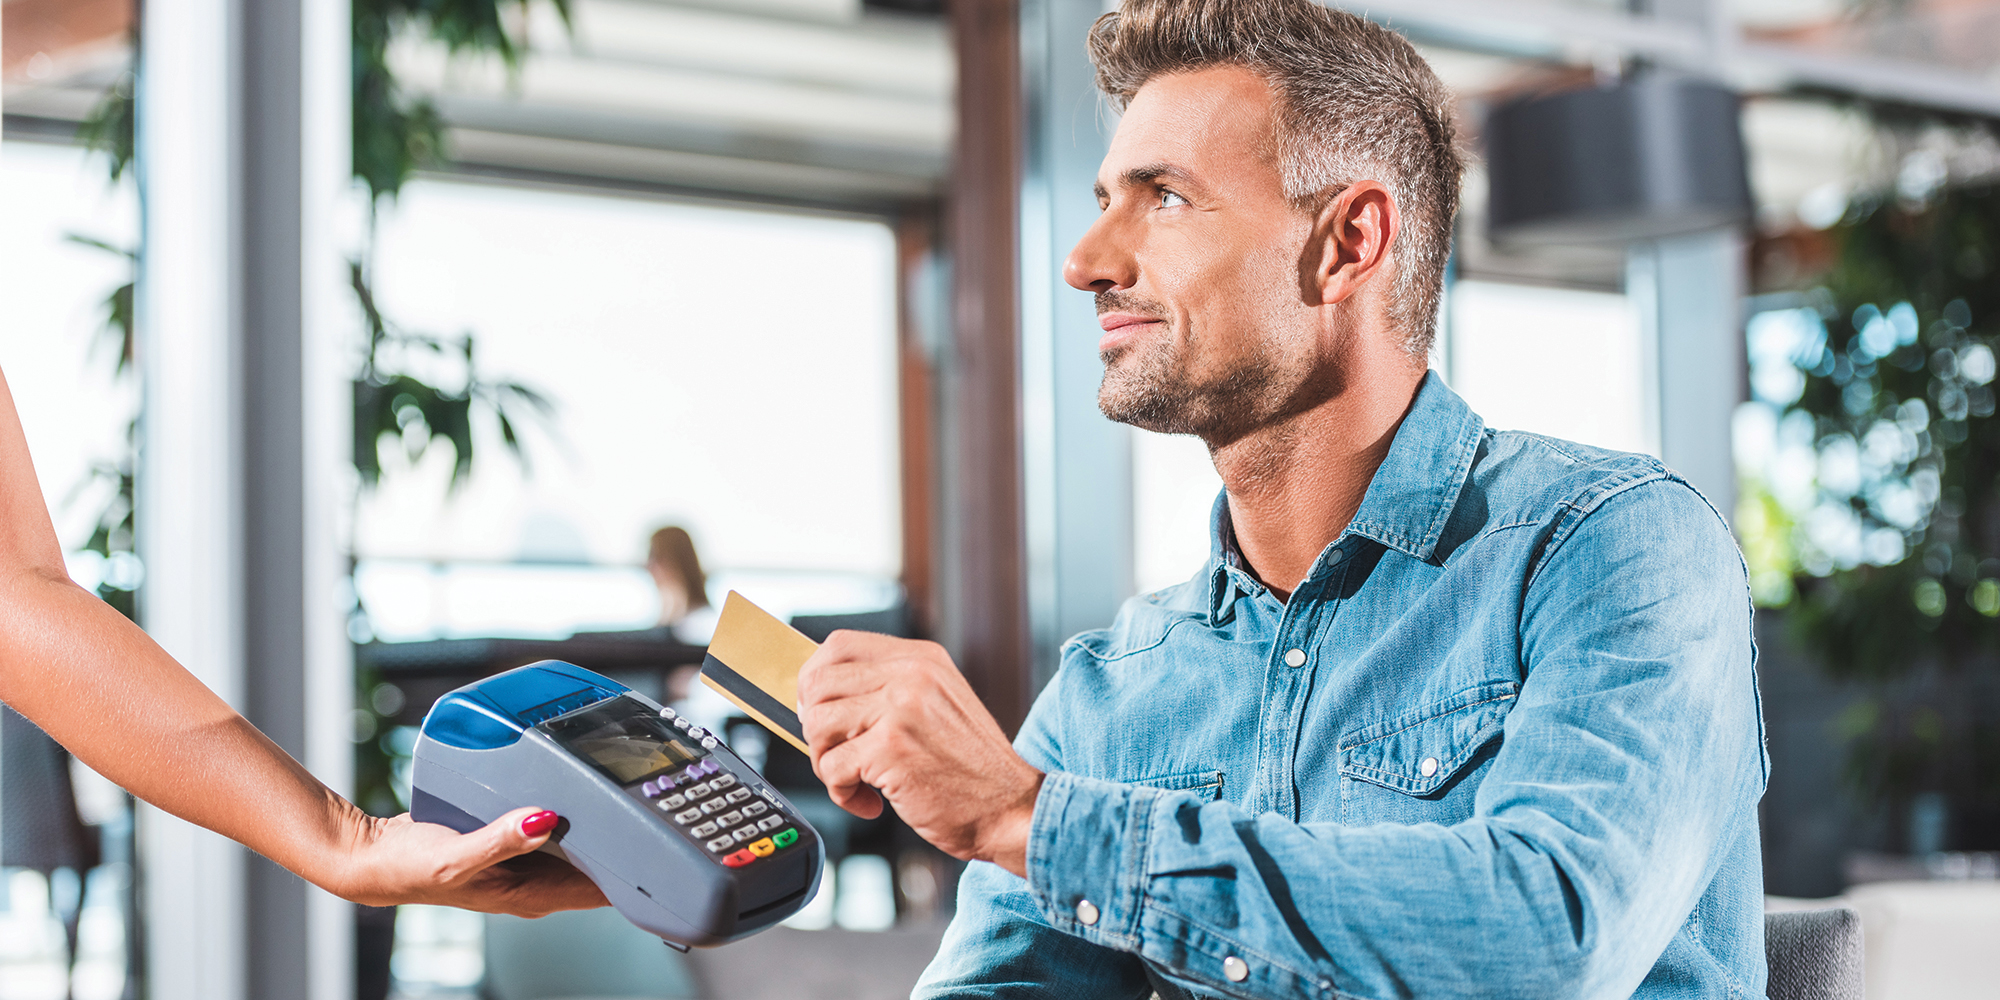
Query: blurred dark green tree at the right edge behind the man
<point x="1899" y="557"/>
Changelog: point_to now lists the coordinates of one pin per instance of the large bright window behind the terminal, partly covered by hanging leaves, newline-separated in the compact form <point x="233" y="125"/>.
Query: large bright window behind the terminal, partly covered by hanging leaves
<point x="721" y="369"/>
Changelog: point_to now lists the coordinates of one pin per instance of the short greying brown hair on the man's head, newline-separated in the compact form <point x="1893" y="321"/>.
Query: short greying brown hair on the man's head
<point x="1355" y="101"/>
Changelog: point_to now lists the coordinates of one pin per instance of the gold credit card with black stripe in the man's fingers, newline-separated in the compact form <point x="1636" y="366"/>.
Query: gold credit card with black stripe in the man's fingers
<point x="753" y="661"/>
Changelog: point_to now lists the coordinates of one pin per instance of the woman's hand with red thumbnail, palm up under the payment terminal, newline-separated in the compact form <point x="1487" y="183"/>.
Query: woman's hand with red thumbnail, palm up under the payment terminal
<point x="495" y="869"/>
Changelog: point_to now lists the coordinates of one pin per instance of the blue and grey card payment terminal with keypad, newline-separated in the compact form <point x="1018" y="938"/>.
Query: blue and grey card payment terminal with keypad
<point x="679" y="833"/>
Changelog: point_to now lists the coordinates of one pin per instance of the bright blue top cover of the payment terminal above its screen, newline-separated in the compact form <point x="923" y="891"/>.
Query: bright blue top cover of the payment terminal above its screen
<point x="497" y="711"/>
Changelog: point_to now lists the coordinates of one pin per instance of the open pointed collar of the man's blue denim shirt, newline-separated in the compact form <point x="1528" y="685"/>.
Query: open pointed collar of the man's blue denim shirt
<point x="1407" y="505"/>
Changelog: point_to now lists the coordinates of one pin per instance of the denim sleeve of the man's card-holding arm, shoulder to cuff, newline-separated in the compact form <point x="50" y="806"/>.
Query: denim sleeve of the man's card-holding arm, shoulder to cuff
<point x="1633" y="753"/>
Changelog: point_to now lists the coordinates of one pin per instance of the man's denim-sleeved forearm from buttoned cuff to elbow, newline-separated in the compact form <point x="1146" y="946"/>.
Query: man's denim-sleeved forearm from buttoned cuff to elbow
<point x="1245" y="905"/>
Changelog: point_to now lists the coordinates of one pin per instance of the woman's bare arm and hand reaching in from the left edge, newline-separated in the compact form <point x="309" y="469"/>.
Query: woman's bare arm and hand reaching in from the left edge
<point x="117" y="701"/>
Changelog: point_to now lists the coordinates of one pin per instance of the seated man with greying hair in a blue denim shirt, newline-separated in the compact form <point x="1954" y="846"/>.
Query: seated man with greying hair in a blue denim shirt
<point x="1451" y="711"/>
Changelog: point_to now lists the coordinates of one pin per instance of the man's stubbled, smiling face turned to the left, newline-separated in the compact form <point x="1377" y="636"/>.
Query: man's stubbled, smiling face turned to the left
<point x="1199" y="267"/>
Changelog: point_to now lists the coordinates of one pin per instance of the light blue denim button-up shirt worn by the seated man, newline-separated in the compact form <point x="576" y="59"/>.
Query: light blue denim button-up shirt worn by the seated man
<point x="1503" y="741"/>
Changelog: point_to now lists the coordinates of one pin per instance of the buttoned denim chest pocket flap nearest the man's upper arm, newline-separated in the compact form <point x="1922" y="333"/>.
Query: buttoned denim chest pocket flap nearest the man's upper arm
<point x="1421" y="753"/>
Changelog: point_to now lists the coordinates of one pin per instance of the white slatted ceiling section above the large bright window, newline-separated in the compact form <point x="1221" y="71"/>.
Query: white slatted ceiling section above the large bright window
<point x="795" y="99"/>
